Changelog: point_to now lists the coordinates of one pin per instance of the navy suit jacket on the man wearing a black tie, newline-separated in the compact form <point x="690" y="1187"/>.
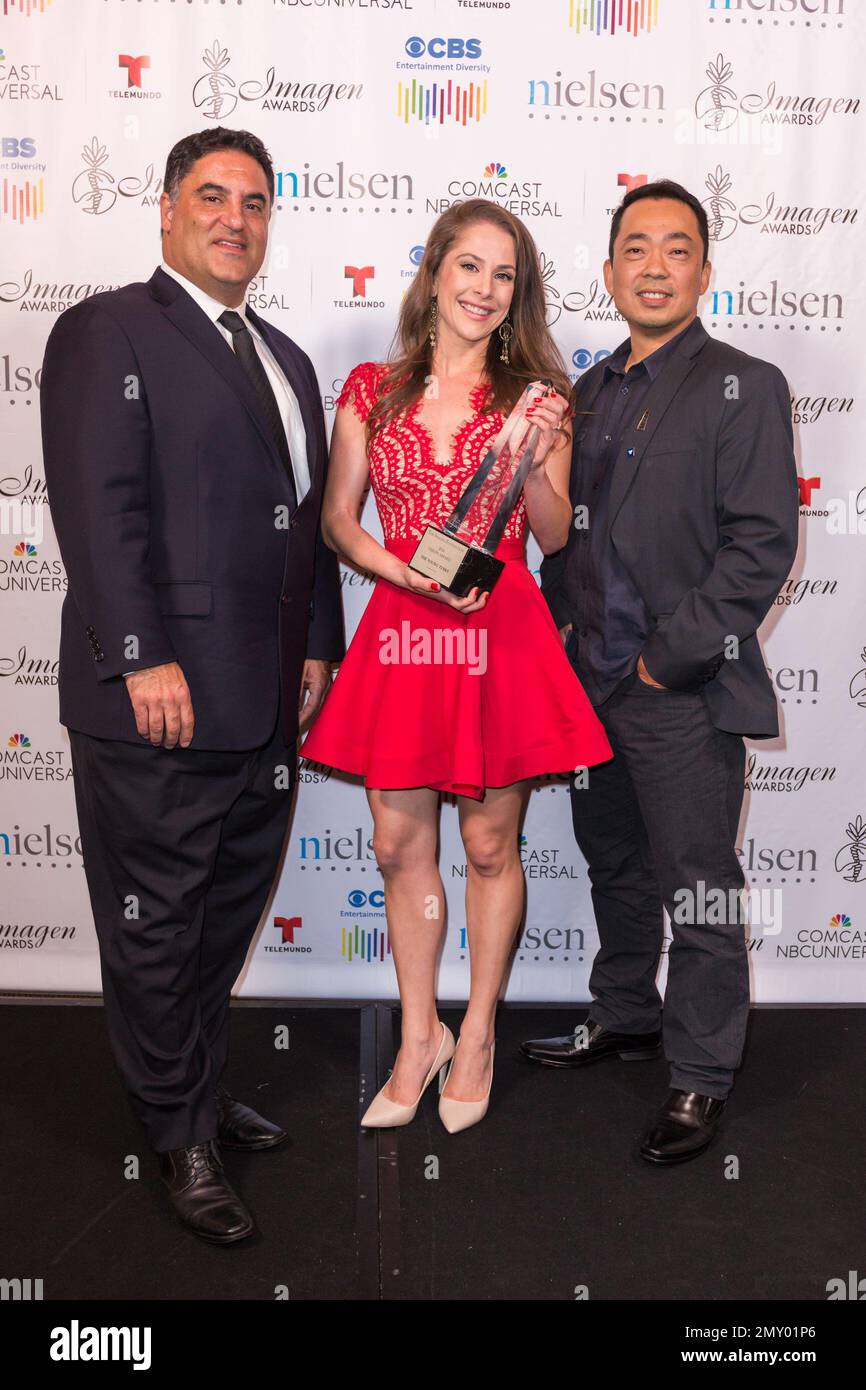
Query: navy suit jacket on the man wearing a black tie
<point x="170" y="505"/>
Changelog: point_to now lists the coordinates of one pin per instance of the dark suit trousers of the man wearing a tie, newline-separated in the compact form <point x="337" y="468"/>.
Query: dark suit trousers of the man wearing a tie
<point x="180" y="849"/>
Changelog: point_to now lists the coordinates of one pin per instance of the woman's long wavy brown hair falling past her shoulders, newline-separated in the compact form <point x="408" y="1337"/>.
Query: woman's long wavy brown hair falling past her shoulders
<point x="532" y="350"/>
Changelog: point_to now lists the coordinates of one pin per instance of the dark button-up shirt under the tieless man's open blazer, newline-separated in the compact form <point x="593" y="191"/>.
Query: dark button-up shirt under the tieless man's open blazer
<point x="610" y="618"/>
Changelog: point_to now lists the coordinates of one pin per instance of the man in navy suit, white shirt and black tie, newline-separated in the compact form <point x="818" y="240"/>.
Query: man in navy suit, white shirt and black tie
<point x="186" y="461"/>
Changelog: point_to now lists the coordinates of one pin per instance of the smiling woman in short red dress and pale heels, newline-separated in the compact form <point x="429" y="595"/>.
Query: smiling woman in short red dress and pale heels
<point x="473" y="696"/>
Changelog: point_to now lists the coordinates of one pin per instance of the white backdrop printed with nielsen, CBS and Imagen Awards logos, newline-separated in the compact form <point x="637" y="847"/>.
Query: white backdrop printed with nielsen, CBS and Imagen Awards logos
<point x="379" y="115"/>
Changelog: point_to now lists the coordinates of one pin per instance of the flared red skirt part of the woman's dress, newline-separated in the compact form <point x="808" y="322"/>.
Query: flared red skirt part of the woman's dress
<point x="429" y="697"/>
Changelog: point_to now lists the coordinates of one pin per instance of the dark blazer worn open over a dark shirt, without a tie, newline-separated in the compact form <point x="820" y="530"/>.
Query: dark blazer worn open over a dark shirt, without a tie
<point x="704" y="515"/>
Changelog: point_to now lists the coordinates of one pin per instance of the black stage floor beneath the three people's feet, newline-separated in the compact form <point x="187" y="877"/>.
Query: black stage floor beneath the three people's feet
<point x="544" y="1200"/>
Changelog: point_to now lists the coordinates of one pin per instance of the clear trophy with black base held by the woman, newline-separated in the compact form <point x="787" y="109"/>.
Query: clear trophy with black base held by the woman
<point x="450" y="554"/>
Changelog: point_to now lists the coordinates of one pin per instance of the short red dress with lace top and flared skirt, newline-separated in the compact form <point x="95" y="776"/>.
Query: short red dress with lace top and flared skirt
<point x="430" y="697"/>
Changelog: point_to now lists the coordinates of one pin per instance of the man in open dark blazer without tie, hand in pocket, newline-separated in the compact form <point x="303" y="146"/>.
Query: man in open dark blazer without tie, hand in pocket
<point x="685" y="487"/>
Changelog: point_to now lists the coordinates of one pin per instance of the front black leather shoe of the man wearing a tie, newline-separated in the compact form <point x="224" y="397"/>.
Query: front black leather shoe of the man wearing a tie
<point x="202" y="1196"/>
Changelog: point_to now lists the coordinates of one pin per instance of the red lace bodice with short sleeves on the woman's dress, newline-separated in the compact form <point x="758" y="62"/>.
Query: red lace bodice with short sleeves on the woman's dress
<point x="411" y="487"/>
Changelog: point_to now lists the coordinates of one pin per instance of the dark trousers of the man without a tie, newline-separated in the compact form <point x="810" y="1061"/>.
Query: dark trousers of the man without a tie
<point x="658" y="826"/>
